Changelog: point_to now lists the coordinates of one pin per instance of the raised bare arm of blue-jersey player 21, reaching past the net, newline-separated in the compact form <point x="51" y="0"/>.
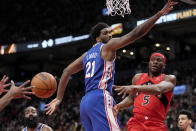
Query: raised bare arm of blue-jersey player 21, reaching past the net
<point x="117" y="43"/>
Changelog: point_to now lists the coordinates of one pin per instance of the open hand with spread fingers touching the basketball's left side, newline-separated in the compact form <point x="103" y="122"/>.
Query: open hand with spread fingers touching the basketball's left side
<point x="20" y="91"/>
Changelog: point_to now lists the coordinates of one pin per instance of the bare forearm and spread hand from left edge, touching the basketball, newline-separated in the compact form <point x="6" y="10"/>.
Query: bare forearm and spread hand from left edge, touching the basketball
<point x="15" y="92"/>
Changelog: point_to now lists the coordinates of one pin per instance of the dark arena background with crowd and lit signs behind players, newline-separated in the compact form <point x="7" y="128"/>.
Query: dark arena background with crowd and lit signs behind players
<point x="45" y="36"/>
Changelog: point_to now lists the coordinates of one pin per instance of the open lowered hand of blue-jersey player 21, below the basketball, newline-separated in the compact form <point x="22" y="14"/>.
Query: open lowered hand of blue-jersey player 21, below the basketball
<point x="52" y="106"/>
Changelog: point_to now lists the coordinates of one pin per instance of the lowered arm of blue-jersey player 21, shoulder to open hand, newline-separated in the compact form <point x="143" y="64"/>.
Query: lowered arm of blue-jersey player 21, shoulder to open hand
<point x="73" y="68"/>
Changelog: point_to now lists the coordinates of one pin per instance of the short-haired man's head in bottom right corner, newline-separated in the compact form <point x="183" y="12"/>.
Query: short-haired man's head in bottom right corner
<point x="184" y="119"/>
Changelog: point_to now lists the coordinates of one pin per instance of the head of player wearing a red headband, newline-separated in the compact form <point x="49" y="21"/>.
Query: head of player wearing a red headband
<point x="157" y="63"/>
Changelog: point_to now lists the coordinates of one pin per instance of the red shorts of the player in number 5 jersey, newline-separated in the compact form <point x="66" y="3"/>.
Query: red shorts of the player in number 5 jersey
<point x="144" y="123"/>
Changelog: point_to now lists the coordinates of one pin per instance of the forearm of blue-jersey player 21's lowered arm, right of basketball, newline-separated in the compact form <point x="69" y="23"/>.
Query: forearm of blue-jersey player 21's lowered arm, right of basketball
<point x="63" y="84"/>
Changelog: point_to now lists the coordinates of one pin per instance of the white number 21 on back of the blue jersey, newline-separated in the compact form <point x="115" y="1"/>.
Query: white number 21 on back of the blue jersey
<point x="90" y="68"/>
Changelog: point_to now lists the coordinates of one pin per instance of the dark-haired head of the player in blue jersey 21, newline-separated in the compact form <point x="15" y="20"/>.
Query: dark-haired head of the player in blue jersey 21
<point x="100" y="33"/>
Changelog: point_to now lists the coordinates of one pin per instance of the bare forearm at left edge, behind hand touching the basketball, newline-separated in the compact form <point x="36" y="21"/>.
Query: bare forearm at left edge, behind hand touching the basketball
<point x="5" y="100"/>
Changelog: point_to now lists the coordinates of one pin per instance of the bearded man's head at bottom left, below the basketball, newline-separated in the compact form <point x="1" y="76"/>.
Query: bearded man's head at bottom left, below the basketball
<point x="31" y="117"/>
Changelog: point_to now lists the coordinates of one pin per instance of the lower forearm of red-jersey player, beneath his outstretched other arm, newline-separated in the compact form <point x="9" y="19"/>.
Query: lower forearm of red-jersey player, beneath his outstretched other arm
<point x="126" y="103"/>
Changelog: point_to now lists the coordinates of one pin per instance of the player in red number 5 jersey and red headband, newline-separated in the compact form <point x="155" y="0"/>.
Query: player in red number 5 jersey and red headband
<point x="151" y="94"/>
